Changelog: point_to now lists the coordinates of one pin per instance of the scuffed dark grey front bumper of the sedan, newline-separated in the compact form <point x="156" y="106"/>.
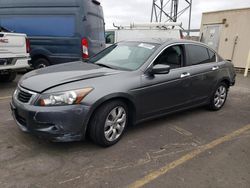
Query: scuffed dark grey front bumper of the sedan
<point x="59" y="124"/>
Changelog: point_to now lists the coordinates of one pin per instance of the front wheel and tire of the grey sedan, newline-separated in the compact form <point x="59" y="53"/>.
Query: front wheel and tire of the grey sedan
<point x="108" y="123"/>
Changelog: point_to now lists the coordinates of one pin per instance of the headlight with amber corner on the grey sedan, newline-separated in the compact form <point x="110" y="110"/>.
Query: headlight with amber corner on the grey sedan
<point x="63" y="98"/>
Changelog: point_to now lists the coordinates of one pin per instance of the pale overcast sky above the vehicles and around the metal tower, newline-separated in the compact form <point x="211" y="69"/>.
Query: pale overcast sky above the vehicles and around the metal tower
<point x="127" y="11"/>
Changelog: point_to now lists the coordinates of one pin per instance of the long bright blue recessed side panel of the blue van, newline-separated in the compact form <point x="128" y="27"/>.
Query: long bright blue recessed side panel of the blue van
<point x="43" y="25"/>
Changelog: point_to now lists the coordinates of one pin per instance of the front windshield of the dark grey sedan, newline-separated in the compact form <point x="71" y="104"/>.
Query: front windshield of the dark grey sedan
<point x="125" y="55"/>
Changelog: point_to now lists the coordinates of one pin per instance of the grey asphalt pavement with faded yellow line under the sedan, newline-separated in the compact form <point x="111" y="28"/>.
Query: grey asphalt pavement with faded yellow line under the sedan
<point x="195" y="148"/>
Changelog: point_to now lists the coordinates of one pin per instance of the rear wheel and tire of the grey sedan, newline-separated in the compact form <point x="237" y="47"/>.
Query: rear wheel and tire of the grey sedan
<point x="219" y="97"/>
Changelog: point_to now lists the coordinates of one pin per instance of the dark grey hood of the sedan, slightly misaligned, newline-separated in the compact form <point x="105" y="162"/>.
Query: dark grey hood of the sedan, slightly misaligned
<point x="43" y="79"/>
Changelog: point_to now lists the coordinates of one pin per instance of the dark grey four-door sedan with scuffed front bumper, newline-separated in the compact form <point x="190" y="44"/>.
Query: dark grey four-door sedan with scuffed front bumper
<point x="127" y="83"/>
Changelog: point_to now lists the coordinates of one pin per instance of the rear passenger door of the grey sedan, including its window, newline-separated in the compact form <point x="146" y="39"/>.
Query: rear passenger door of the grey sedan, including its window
<point x="203" y="69"/>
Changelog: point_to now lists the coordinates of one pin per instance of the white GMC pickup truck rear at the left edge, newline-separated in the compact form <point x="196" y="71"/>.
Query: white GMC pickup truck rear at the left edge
<point x="14" y="54"/>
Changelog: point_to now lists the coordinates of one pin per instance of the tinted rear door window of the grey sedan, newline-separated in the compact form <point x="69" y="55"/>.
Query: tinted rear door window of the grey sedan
<point x="197" y="54"/>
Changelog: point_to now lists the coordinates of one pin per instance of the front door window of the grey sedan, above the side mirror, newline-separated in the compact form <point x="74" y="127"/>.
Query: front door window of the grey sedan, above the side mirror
<point x="172" y="56"/>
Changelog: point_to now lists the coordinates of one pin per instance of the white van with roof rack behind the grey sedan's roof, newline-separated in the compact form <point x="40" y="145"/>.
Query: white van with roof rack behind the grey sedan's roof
<point x="139" y="31"/>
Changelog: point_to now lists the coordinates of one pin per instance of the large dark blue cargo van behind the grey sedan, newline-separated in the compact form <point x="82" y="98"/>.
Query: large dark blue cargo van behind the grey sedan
<point x="59" y="31"/>
